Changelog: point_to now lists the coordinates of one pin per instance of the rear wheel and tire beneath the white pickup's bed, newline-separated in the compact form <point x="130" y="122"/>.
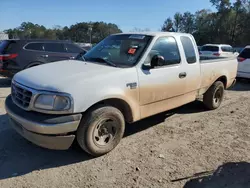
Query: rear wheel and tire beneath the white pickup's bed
<point x="214" y="95"/>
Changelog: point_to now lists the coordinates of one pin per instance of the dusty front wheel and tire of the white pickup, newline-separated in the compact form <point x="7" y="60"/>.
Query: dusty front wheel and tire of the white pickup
<point x="101" y="130"/>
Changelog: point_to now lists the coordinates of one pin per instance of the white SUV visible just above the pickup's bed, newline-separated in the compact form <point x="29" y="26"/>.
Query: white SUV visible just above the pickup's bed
<point x="217" y="50"/>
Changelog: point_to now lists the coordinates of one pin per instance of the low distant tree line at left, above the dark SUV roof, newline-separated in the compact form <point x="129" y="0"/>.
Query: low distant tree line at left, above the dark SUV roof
<point x="79" y="32"/>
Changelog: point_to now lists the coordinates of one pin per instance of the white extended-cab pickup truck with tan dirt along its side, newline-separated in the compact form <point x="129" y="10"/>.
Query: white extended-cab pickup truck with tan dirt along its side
<point x="123" y="79"/>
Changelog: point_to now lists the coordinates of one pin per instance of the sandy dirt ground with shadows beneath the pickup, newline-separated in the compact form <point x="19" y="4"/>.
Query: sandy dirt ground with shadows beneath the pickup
<point x="187" y="147"/>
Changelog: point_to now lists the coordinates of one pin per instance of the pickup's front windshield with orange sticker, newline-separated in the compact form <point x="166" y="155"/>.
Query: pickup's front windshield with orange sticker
<point x="123" y="50"/>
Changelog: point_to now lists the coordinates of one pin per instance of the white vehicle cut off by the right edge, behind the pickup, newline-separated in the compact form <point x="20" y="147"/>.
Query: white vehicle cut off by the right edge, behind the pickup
<point x="244" y="63"/>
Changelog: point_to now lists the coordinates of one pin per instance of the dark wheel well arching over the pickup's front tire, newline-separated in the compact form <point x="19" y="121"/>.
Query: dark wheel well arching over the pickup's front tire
<point x="120" y="104"/>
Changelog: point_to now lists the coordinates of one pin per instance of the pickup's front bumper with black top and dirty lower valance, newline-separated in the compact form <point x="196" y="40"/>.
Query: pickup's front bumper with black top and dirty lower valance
<point x="48" y="131"/>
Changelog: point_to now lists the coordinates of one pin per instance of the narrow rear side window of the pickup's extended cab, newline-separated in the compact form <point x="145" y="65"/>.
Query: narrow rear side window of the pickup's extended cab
<point x="188" y="49"/>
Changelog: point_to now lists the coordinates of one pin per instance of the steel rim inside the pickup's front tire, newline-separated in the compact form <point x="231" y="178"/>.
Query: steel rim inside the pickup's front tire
<point x="105" y="132"/>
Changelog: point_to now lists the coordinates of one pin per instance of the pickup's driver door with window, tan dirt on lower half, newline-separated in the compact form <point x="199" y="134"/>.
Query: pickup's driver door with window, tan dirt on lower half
<point x="162" y="88"/>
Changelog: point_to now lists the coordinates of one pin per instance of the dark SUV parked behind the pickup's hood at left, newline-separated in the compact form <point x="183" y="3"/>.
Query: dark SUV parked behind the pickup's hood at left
<point x="17" y="55"/>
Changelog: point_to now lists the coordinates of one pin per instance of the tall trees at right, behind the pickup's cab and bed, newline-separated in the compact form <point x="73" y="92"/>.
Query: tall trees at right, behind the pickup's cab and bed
<point x="228" y="24"/>
